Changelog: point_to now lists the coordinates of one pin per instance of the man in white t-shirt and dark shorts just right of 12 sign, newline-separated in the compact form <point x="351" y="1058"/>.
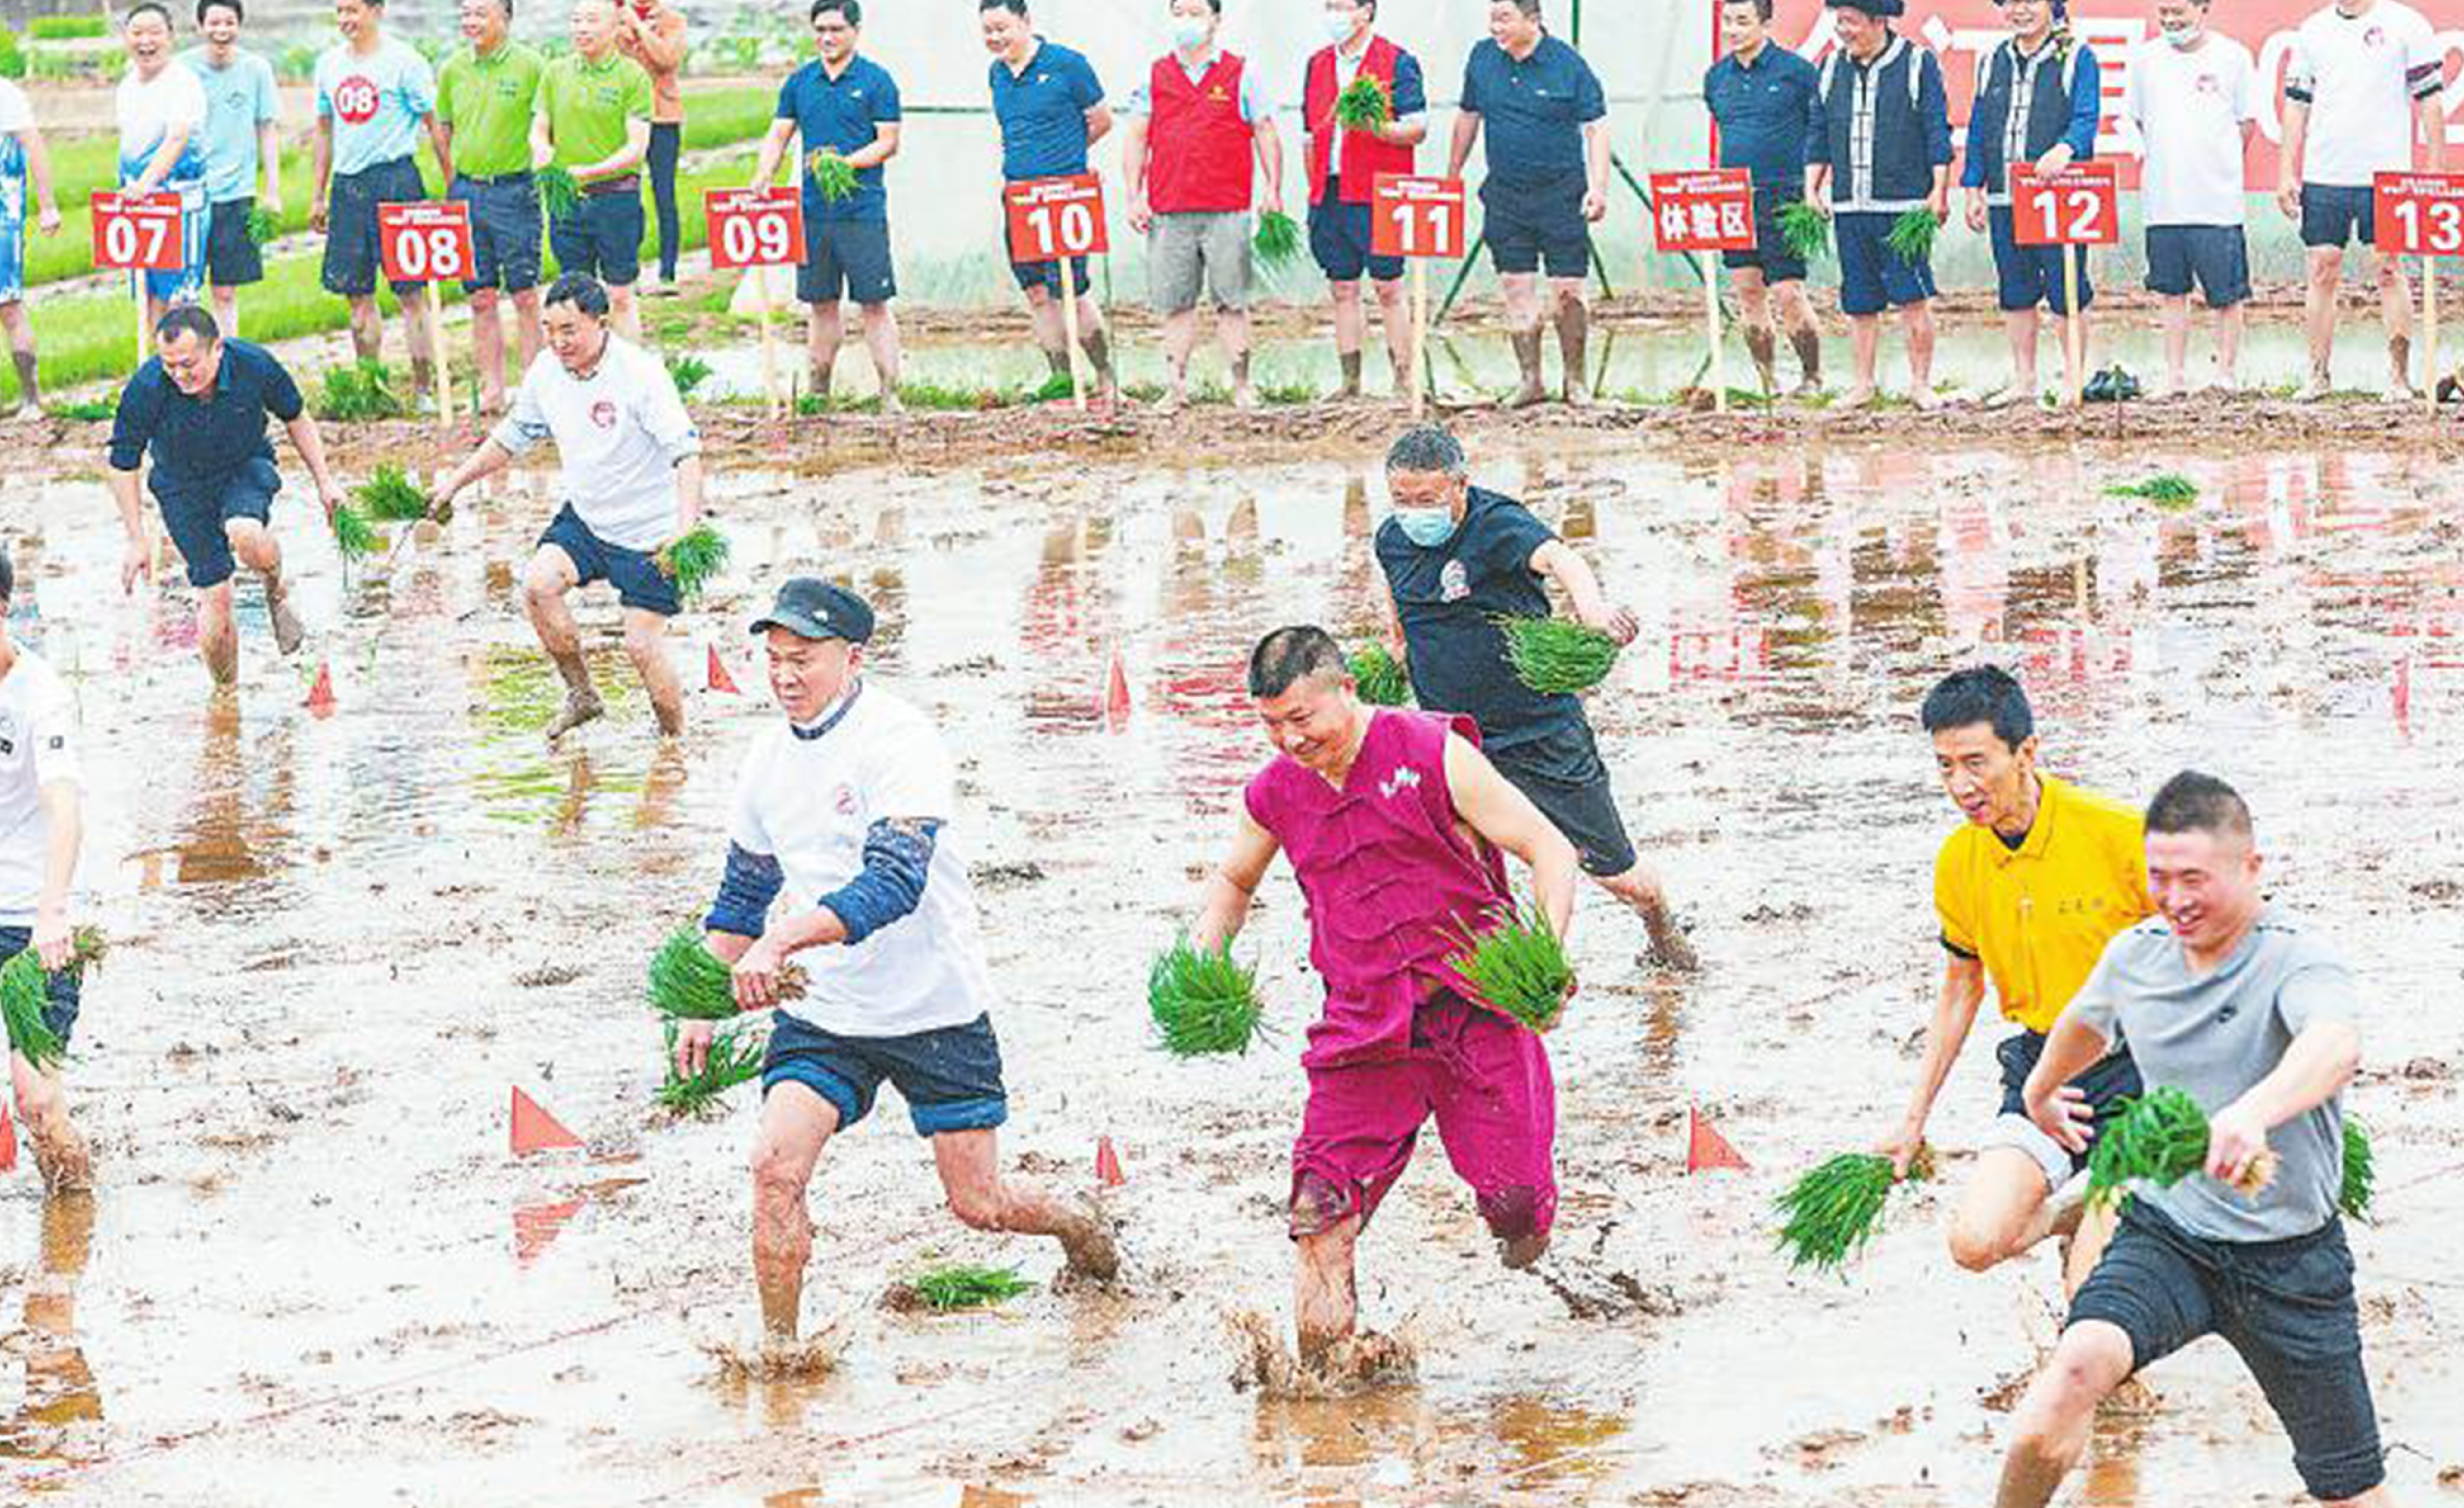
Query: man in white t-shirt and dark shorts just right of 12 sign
<point x="2194" y="102"/>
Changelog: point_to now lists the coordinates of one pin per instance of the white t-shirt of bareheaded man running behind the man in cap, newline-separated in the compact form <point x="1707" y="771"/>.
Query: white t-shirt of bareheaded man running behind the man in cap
<point x="620" y="437"/>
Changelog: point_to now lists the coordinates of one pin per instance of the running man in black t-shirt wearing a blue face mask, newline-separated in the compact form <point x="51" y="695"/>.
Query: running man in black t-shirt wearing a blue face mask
<point x="1455" y="561"/>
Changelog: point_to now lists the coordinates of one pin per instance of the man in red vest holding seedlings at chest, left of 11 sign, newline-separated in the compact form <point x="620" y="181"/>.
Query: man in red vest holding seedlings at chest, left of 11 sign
<point x="1344" y="169"/>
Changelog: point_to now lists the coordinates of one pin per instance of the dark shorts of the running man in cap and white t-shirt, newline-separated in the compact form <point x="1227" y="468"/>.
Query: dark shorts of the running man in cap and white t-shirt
<point x="950" y="1078"/>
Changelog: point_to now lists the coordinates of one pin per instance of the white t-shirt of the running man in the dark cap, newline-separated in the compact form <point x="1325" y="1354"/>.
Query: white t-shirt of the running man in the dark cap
<point x="809" y="805"/>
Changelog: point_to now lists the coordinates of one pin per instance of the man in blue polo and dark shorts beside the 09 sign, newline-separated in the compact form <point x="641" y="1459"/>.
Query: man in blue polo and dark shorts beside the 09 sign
<point x="844" y="107"/>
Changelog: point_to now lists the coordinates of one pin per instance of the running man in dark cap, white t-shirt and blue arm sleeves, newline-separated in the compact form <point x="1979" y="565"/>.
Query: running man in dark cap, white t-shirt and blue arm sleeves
<point x="844" y="812"/>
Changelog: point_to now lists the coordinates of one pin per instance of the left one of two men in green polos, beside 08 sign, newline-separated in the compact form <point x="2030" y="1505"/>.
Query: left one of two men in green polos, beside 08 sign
<point x="487" y="100"/>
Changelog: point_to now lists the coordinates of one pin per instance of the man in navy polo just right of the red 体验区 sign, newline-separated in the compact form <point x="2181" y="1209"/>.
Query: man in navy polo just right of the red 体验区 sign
<point x="1763" y="100"/>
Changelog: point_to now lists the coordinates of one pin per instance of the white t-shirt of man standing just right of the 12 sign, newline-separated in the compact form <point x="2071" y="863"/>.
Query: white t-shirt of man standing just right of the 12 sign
<point x="2192" y="110"/>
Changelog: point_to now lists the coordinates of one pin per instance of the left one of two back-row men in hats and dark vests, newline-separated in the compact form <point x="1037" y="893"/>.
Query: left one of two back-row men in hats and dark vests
<point x="1881" y="149"/>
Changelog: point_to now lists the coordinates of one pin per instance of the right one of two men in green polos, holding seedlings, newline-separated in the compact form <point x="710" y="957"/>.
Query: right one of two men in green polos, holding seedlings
<point x="595" y="122"/>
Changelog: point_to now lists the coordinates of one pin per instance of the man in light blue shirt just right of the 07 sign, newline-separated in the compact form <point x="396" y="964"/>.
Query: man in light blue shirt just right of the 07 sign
<point x="240" y="112"/>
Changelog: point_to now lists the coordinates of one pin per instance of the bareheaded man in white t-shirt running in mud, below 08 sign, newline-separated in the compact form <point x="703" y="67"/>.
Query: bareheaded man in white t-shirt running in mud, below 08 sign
<point x="632" y="482"/>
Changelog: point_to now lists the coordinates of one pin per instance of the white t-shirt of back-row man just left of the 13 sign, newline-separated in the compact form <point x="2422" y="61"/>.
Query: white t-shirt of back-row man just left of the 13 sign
<point x="2362" y="78"/>
